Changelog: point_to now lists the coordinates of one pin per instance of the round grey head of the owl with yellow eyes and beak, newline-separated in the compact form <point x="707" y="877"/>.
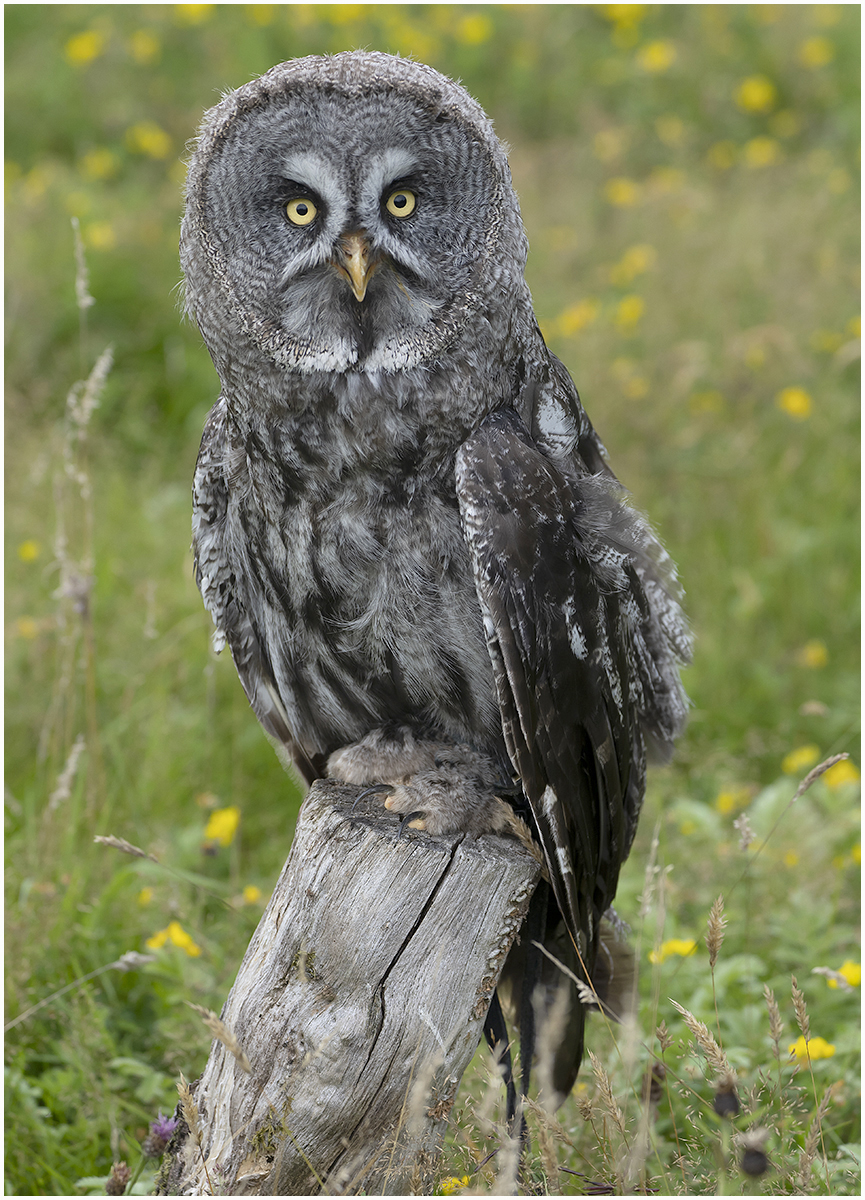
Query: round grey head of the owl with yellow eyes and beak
<point x="349" y="213"/>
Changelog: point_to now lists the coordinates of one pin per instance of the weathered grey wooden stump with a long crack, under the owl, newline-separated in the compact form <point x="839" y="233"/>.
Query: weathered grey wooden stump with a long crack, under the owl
<point x="359" y="1004"/>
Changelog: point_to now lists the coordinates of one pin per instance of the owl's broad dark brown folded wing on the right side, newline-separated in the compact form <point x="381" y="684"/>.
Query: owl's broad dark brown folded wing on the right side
<point x="562" y="614"/>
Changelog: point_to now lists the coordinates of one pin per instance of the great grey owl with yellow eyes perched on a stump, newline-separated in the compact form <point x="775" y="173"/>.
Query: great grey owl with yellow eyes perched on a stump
<point x="405" y="524"/>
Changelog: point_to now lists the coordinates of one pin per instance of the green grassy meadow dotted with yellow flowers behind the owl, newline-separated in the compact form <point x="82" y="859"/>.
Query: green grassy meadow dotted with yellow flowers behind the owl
<point x="695" y="263"/>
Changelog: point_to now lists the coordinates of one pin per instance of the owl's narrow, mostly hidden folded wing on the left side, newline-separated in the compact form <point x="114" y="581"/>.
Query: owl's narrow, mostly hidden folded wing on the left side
<point x="220" y="589"/>
